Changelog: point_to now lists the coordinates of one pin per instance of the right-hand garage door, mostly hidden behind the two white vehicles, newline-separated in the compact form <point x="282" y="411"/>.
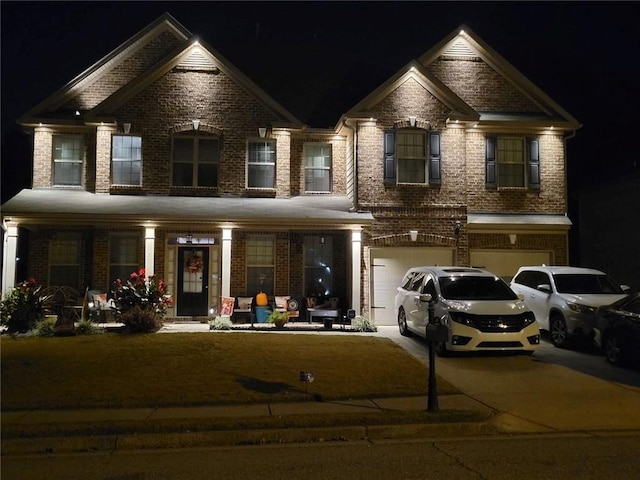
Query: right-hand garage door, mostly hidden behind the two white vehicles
<point x="505" y="263"/>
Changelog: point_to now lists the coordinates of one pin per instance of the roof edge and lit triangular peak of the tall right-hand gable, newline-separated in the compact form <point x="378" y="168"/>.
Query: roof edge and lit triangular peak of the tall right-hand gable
<point x="463" y="42"/>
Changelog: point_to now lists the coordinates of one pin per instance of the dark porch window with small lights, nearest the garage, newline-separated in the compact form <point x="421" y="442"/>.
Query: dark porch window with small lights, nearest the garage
<point x="318" y="265"/>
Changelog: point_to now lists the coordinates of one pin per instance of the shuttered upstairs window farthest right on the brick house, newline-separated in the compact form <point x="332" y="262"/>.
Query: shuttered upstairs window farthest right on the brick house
<point x="512" y="162"/>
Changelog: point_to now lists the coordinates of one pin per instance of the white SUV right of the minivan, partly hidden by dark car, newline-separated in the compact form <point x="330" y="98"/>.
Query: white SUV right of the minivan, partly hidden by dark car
<point x="565" y="299"/>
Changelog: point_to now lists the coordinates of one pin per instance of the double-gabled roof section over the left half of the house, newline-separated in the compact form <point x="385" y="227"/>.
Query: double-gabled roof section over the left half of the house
<point x="189" y="53"/>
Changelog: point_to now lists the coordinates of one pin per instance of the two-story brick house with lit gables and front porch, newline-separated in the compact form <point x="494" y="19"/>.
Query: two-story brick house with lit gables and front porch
<point x="163" y="155"/>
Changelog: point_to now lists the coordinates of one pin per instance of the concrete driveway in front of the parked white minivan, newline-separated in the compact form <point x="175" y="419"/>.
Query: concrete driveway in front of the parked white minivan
<point x="534" y="395"/>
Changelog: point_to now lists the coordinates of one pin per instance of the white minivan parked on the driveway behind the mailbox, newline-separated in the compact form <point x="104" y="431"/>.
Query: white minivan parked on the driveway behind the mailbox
<point x="478" y="308"/>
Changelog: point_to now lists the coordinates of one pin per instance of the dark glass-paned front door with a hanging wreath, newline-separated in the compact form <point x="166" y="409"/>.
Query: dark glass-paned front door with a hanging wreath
<point x="193" y="286"/>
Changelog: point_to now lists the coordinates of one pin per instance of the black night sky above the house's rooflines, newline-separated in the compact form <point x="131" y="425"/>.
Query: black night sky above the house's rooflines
<point x="318" y="59"/>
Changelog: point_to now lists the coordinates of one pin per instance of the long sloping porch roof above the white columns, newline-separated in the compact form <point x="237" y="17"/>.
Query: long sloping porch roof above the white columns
<point x="74" y="207"/>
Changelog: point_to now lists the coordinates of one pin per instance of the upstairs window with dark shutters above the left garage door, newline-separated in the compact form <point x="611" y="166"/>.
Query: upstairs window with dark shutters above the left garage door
<point x="412" y="156"/>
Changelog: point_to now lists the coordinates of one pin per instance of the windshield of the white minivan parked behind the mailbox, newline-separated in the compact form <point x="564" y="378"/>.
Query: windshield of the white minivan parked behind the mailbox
<point x="475" y="288"/>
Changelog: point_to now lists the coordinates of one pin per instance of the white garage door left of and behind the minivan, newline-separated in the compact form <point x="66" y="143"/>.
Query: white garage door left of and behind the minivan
<point x="388" y="266"/>
